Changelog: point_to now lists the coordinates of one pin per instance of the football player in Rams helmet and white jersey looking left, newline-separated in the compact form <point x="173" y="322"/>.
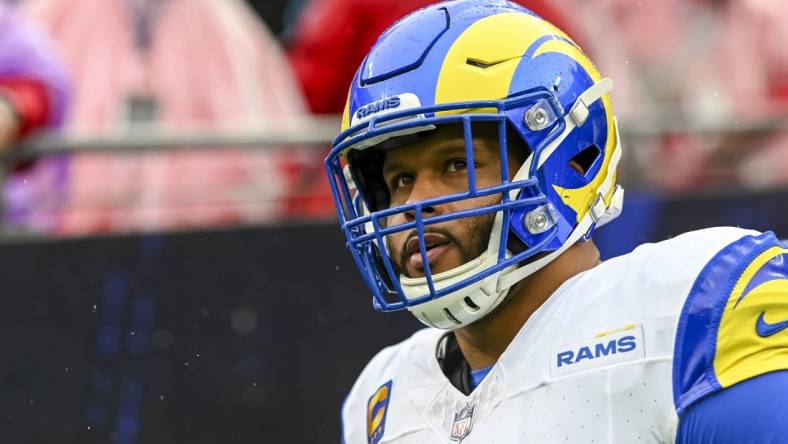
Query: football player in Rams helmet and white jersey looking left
<point x="478" y="155"/>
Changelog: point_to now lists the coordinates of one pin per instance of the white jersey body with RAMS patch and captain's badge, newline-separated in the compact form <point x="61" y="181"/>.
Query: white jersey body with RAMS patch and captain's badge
<point x="592" y="365"/>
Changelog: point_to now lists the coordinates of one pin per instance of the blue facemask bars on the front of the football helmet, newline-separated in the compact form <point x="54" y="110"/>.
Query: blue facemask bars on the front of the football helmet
<point x="356" y="224"/>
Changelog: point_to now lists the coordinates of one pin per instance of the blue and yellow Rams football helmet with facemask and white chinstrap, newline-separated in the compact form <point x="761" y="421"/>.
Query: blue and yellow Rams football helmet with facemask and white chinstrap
<point x="468" y="63"/>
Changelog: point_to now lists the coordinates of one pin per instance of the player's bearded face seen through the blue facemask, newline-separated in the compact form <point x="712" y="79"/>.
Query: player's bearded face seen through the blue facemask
<point x="436" y="166"/>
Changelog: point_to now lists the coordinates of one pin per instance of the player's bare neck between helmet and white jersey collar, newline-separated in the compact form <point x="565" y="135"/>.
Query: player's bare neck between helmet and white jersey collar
<point x="483" y="342"/>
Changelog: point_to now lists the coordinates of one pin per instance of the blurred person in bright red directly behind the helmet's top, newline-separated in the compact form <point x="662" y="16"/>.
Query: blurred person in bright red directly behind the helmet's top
<point x="332" y="37"/>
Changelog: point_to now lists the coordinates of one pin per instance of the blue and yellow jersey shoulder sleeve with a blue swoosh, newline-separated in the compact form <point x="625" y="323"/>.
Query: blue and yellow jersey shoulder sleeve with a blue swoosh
<point x="734" y="323"/>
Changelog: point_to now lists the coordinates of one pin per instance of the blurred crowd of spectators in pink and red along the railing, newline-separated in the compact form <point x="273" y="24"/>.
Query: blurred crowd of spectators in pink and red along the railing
<point x="703" y="82"/>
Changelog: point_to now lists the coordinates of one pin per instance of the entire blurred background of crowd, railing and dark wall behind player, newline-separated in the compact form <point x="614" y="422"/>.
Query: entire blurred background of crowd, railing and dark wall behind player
<point x="172" y="270"/>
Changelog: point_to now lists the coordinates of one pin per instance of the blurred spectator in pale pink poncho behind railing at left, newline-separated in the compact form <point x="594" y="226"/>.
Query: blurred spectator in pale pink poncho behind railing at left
<point x="180" y="65"/>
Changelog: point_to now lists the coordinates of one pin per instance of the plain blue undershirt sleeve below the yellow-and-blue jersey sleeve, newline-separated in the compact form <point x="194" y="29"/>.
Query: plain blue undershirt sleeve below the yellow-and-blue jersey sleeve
<point x="751" y="412"/>
